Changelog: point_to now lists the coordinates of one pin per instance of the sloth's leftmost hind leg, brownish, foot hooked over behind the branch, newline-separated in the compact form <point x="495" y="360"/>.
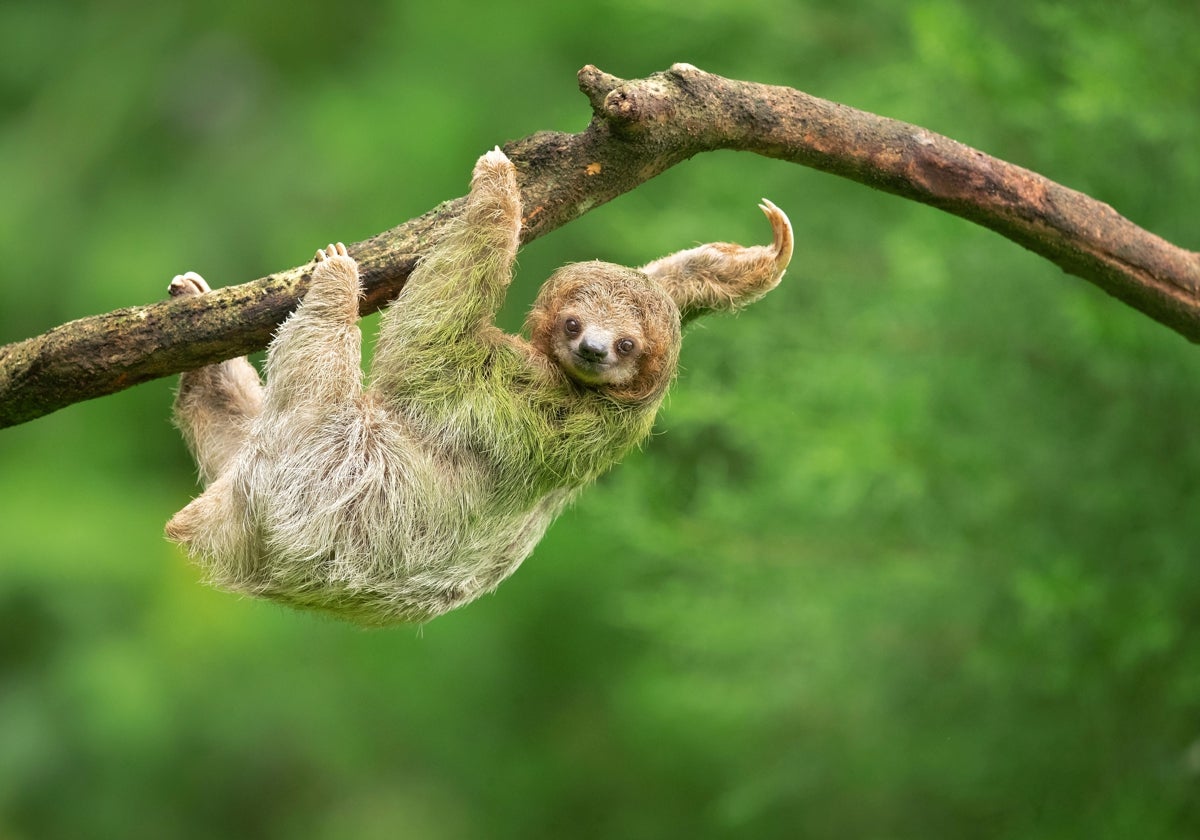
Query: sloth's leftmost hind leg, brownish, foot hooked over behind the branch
<point x="215" y="405"/>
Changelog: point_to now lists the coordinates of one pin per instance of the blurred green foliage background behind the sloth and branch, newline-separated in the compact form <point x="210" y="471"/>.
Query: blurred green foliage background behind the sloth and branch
<point x="914" y="554"/>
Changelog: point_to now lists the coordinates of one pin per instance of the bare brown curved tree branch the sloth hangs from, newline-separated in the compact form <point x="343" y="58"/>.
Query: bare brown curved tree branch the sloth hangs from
<point x="639" y="129"/>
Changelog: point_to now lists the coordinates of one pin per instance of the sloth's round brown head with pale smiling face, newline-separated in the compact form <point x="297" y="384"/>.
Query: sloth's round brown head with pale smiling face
<point x="609" y="328"/>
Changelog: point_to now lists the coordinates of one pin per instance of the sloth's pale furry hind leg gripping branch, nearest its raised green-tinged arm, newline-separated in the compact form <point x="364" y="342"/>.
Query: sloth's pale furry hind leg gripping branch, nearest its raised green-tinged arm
<point x="314" y="364"/>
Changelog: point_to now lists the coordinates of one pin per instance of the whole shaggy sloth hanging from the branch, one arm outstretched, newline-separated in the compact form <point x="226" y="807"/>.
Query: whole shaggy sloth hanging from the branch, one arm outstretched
<point x="401" y="500"/>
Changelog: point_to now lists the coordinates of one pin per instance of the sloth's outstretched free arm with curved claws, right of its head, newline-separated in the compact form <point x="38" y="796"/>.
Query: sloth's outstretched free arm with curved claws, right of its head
<point x="723" y="277"/>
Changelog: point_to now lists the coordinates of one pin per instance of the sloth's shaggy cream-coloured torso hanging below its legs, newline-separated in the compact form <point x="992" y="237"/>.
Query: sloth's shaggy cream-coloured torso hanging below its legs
<point x="380" y="526"/>
